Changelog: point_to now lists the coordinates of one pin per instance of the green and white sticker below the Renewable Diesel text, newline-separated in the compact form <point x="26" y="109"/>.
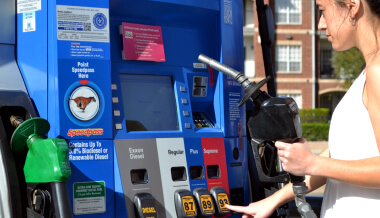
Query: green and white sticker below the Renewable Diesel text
<point x="89" y="197"/>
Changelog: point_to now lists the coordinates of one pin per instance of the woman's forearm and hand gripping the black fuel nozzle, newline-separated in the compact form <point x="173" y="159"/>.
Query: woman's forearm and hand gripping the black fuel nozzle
<point x="299" y="160"/>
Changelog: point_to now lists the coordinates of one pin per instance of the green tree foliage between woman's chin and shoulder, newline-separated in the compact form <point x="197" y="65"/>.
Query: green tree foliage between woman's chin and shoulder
<point x="347" y="65"/>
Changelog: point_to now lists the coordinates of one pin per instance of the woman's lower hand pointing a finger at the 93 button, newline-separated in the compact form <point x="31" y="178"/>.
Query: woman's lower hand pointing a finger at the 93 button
<point x="259" y="209"/>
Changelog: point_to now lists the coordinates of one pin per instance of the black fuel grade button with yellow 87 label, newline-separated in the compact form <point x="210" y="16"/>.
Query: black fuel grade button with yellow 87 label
<point x="185" y="204"/>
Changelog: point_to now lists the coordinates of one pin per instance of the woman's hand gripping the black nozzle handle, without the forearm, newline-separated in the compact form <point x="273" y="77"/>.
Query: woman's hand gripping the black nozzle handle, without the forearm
<point x="296" y="157"/>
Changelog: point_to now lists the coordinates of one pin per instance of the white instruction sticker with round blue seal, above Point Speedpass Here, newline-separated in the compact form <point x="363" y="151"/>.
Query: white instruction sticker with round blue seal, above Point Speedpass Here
<point x="82" y="24"/>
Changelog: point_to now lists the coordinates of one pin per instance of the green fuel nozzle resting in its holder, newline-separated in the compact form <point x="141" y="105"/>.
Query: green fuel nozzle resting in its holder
<point x="46" y="159"/>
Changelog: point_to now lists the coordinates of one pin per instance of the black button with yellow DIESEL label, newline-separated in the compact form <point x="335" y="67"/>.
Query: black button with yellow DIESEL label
<point x="145" y="205"/>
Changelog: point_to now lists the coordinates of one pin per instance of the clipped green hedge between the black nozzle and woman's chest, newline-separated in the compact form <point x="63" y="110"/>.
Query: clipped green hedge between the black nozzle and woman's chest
<point x="315" y="126"/>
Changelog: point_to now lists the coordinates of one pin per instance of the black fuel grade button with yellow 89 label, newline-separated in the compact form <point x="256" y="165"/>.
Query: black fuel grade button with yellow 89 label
<point x="204" y="201"/>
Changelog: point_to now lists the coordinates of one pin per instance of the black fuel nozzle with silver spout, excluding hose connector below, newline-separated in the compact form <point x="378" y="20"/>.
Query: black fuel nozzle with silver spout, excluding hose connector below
<point x="273" y="118"/>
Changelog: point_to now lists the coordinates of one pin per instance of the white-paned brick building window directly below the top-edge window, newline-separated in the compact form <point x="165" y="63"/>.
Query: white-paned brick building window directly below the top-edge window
<point x="288" y="58"/>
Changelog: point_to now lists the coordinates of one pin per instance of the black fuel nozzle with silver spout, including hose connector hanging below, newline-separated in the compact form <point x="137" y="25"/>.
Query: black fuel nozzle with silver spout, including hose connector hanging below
<point x="273" y="119"/>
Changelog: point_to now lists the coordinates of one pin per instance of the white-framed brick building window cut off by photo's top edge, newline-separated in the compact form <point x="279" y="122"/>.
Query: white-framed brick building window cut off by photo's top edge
<point x="288" y="11"/>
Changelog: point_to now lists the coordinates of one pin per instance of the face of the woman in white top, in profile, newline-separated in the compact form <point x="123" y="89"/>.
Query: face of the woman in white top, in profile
<point x="334" y="20"/>
